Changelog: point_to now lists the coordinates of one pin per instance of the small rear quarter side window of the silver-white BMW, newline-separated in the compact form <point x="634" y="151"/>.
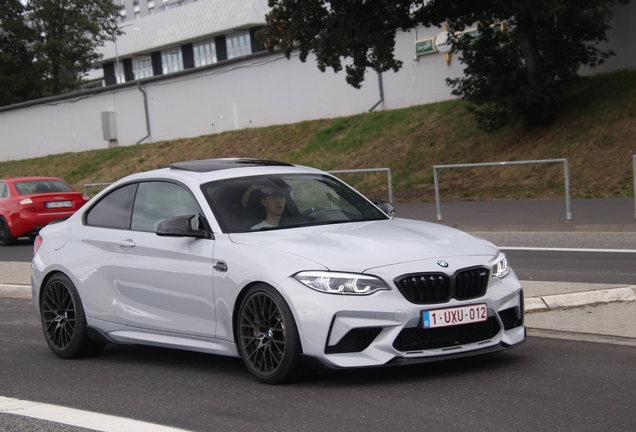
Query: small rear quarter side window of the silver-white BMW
<point x="113" y="211"/>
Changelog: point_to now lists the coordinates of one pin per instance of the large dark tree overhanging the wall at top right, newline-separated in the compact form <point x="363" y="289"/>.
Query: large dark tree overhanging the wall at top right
<point x="515" y="75"/>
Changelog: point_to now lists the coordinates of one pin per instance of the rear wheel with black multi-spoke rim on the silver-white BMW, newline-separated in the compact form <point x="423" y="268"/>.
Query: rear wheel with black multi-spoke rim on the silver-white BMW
<point x="63" y="320"/>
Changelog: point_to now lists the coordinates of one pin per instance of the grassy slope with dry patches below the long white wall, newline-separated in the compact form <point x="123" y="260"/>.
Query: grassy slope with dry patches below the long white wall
<point x="596" y="132"/>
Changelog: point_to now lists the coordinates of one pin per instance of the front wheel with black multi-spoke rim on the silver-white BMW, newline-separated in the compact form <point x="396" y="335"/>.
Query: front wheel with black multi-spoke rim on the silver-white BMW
<point x="268" y="337"/>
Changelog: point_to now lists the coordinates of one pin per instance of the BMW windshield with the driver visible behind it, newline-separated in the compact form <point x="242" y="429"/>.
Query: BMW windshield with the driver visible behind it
<point x="285" y="201"/>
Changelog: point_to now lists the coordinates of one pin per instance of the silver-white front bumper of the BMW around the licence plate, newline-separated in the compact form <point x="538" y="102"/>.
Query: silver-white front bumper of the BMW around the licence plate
<point x="384" y="328"/>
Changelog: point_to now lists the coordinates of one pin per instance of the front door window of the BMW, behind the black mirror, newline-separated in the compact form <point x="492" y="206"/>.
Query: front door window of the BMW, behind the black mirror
<point x="157" y="201"/>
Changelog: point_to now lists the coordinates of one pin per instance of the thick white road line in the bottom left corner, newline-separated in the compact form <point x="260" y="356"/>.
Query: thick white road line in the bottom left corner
<point x="79" y="418"/>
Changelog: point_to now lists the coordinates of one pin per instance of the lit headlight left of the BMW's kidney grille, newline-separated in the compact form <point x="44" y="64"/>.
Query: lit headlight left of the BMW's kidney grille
<point x="341" y="283"/>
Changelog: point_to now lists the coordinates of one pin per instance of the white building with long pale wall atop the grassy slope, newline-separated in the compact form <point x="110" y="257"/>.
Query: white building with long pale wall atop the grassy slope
<point x="198" y="70"/>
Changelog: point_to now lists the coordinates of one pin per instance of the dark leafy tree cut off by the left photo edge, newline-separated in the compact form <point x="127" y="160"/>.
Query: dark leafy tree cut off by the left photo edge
<point x="19" y="76"/>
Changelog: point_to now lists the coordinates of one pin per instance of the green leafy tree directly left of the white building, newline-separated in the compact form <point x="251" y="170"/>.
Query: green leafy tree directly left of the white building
<point x="68" y="33"/>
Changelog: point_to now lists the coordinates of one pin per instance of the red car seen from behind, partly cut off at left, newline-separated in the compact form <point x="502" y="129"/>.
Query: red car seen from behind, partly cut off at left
<point x="29" y="203"/>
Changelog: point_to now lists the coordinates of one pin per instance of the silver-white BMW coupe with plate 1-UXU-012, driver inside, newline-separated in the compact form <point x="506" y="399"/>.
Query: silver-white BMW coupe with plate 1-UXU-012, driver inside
<point x="278" y="264"/>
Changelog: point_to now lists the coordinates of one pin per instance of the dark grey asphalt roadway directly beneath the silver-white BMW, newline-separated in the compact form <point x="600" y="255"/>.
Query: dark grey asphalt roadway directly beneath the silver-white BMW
<point x="545" y="384"/>
